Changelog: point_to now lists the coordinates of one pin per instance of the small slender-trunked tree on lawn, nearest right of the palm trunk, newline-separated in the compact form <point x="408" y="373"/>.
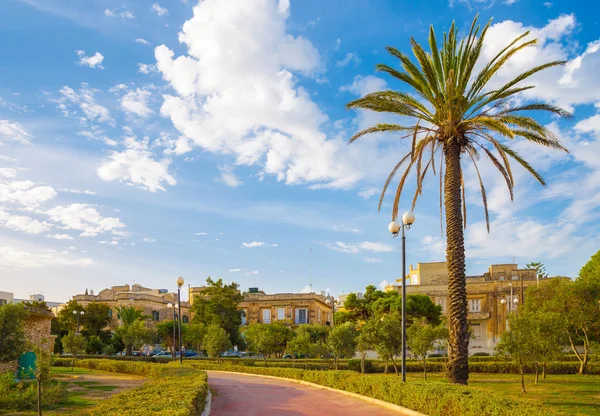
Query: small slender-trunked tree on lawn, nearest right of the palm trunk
<point x="518" y="343"/>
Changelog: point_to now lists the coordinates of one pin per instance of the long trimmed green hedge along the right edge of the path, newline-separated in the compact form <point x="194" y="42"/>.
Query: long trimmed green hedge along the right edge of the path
<point x="431" y="398"/>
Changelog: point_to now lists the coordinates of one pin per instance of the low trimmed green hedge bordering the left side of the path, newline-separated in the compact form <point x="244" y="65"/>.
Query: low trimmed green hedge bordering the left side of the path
<point x="172" y="389"/>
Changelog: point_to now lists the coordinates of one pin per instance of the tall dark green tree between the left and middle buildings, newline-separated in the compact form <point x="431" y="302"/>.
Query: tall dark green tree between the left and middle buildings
<point x="218" y="305"/>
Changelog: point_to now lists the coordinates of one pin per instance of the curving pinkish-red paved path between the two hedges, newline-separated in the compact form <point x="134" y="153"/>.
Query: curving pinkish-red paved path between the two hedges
<point x="246" y="395"/>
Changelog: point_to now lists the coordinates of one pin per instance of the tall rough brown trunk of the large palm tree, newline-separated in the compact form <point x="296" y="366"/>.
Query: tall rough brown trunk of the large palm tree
<point x="458" y="364"/>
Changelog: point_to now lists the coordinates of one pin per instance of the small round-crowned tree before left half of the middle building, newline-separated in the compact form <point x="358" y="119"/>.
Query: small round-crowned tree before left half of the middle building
<point x="268" y="339"/>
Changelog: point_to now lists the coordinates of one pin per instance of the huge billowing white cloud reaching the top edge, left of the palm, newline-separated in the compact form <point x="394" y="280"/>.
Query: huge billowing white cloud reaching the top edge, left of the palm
<point x="246" y="103"/>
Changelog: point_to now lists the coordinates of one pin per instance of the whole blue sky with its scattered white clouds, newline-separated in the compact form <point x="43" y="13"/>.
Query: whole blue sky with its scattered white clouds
<point x="140" y="141"/>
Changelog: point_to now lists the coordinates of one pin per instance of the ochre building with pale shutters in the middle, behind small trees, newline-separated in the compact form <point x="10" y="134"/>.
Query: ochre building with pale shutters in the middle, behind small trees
<point x="289" y="308"/>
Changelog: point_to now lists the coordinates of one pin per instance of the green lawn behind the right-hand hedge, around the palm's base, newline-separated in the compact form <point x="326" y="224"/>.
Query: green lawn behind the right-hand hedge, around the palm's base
<point x="572" y="394"/>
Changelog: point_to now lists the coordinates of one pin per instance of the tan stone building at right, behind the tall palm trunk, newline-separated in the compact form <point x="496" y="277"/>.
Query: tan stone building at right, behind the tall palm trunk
<point x="488" y="313"/>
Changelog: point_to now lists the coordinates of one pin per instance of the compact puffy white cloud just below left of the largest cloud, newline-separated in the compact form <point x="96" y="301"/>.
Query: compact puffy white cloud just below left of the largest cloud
<point x="137" y="167"/>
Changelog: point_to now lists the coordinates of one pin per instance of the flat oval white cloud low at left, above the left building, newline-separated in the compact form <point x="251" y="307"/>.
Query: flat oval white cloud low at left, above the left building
<point x="84" y="218"/>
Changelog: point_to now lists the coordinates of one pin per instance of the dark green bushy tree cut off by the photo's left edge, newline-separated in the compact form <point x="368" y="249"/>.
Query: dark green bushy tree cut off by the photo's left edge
<point x="12" y="335"/>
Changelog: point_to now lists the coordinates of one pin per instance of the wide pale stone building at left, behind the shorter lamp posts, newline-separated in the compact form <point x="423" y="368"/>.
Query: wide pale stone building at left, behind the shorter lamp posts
<point x="153" y="302"/>
